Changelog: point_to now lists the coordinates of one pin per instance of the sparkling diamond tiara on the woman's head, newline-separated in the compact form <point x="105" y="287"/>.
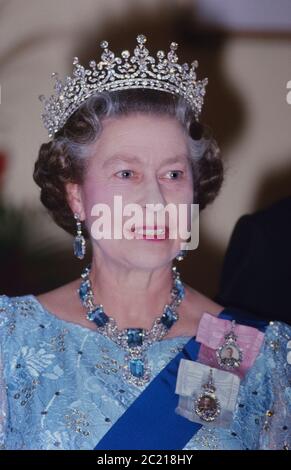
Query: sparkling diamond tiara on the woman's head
<point x="139" y="70"/>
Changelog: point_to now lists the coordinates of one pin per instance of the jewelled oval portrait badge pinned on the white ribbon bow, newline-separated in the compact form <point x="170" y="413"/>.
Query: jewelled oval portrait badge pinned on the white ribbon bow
<point x="207" y="406"/>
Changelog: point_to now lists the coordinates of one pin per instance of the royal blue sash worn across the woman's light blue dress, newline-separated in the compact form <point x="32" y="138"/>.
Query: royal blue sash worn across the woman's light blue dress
<point x="151" y="423"/>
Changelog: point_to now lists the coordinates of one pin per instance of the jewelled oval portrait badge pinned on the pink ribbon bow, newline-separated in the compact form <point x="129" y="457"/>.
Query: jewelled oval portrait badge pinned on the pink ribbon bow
<point x="229" y="355"/>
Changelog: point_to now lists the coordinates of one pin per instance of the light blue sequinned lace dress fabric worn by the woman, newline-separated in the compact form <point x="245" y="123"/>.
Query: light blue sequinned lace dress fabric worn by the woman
<point x="61" y="385"/>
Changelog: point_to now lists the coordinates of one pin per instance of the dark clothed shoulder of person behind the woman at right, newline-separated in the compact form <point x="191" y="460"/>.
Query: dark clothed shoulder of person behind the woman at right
<point x="256" y="274"/>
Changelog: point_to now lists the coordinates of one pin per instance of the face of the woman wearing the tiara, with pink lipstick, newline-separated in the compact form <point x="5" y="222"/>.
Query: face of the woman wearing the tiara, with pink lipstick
<point x="144" y="159"/>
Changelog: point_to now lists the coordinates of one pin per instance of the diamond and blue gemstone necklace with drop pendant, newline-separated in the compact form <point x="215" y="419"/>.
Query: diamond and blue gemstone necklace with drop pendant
<point x="135" y="341"/>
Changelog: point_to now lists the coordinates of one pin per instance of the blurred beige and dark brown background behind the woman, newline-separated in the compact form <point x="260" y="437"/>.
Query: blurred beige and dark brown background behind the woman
<point x="242" y="46"/>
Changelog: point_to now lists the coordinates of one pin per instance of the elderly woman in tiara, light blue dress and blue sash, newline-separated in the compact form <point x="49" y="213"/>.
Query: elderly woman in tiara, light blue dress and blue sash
<point x="127" y="356"/>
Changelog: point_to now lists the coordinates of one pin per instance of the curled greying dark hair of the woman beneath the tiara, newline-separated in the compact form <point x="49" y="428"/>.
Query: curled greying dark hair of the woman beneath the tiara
<point x="65" y="157"/>
